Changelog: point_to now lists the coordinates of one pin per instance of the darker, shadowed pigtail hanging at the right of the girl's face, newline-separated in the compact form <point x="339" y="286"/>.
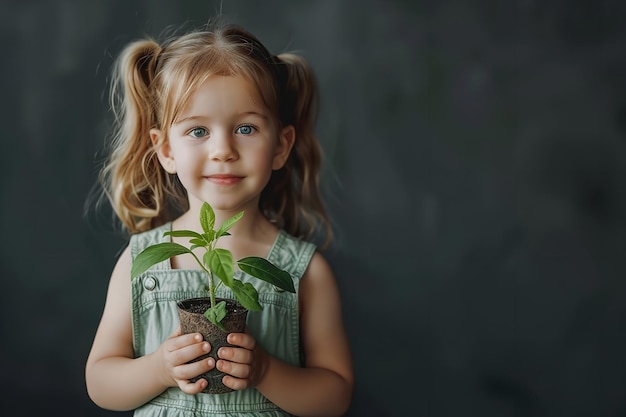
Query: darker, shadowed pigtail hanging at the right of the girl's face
<point x="302" y="209"/>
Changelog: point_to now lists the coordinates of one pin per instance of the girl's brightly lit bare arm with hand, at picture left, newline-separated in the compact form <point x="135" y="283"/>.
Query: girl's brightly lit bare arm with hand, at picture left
<point x="115" y="379"/>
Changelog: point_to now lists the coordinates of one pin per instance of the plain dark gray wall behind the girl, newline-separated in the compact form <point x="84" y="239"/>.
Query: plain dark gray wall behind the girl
<point x="474" y="169"/>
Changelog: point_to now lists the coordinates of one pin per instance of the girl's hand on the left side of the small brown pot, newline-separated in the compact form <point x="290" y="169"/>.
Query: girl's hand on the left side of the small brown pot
<point x="174" y="355"/>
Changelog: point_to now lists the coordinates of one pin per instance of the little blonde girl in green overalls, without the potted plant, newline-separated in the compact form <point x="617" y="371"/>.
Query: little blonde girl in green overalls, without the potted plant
<point x="212" y="116"/>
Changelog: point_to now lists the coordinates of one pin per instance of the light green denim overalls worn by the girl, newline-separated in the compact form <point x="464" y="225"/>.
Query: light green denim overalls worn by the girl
<point x="276" y="328"/>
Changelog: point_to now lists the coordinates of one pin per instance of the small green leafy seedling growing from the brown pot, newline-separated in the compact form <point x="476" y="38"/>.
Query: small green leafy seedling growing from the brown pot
<point x="217" y="263"/>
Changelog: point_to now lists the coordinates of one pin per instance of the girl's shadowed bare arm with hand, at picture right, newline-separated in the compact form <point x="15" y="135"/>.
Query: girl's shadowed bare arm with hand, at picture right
<point x="324" y="386"/>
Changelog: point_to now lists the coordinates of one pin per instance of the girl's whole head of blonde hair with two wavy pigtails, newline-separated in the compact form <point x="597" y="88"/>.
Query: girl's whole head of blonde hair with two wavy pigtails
<point x="151" y="85"/>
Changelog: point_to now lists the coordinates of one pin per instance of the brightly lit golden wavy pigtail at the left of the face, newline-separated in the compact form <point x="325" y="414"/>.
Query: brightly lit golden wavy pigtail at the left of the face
<point x="133" y="179"/>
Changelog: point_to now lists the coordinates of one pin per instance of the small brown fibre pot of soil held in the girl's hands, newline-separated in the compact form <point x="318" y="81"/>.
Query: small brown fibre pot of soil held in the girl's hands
<point x="192" y="320"/>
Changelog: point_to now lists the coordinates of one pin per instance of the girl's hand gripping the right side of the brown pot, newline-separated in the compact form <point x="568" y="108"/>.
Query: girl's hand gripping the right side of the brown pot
<point x="245" y="364"/>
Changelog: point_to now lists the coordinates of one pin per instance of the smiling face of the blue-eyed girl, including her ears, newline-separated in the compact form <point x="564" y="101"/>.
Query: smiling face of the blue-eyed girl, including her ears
<point x="224" y="145"/>
